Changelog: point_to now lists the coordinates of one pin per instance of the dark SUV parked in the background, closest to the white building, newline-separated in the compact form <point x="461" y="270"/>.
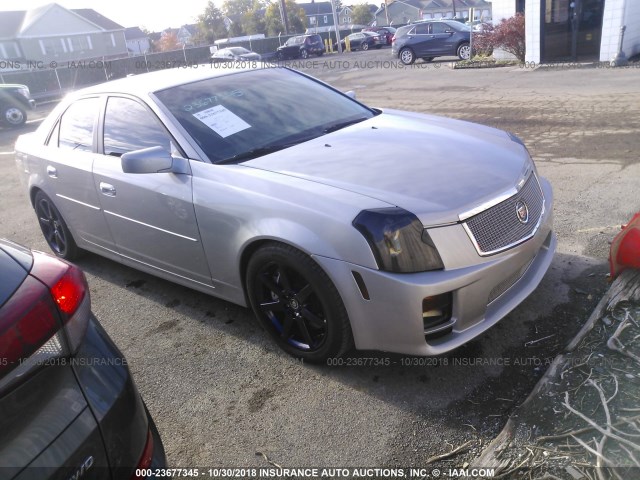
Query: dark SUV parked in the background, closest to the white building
<point x="430" y="39"/>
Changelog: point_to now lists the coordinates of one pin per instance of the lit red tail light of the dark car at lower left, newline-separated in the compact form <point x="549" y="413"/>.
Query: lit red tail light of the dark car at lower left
<point x="45" y="318"/>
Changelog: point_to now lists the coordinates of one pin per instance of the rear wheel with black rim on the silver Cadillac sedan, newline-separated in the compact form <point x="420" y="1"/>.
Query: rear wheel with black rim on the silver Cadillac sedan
<point x="55" y="230"/>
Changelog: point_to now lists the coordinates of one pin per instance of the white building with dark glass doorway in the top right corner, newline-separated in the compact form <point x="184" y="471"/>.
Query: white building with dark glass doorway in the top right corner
<point x="558" y="30"/>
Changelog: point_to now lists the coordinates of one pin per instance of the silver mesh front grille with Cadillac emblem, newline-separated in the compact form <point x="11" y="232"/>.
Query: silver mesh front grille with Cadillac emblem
<point x="508" y="223"/>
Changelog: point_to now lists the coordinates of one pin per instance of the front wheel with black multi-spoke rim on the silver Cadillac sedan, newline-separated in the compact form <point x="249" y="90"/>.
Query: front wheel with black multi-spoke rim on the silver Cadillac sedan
<point x="297" y="303"/>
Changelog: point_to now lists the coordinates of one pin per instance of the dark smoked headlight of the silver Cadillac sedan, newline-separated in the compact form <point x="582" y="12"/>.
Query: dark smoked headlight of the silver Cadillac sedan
<point x="398" y="240"/>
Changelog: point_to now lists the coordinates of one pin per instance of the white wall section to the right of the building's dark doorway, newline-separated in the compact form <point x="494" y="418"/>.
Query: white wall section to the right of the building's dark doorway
<point x="616" y="14"/>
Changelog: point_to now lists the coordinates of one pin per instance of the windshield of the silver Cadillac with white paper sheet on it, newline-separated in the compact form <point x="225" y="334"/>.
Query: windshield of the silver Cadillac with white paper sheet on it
<point x="257" y="111"/>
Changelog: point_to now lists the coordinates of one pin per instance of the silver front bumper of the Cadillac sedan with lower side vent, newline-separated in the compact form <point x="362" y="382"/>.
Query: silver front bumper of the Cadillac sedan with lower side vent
<point x="484" y="290"/>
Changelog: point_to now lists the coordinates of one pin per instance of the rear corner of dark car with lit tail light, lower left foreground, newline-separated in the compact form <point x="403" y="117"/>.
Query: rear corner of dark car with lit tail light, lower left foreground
<point x="69" y="406"/>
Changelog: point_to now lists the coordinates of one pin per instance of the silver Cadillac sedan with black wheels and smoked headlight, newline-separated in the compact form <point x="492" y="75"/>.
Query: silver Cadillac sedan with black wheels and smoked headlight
<point x="340" y="225"/>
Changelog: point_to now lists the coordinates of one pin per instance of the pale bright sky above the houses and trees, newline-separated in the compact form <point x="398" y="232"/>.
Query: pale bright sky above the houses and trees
<point x="150" y="14"/>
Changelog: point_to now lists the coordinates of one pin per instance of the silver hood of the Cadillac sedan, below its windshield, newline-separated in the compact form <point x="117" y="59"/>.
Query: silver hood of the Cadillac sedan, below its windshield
<point x="434" y="167"/>
